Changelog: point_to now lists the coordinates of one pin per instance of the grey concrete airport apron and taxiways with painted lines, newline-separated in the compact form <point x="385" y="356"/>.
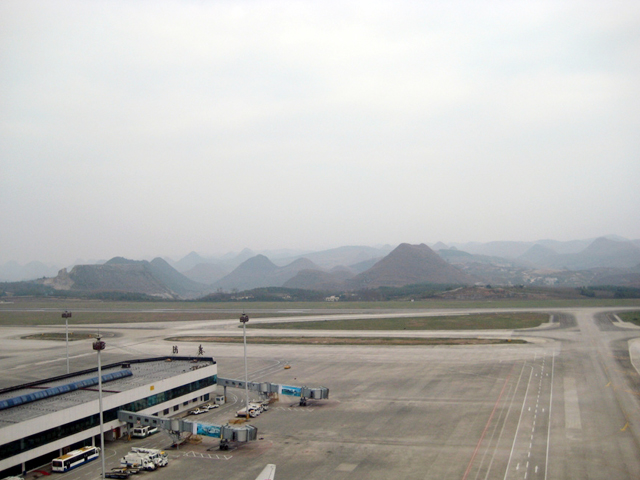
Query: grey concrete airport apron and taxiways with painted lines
<point x="564" y="406"/>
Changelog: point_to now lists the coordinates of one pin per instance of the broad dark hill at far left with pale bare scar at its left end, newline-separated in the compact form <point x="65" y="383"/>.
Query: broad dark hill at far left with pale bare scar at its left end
<point x="155" y="278"/>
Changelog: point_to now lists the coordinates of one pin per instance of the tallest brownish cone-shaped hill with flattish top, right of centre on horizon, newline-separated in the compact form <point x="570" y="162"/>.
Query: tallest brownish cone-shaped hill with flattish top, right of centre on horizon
<point x="409" y="264"/>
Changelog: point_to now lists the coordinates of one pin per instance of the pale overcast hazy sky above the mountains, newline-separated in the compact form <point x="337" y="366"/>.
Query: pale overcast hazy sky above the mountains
<point x="145" y="128"/>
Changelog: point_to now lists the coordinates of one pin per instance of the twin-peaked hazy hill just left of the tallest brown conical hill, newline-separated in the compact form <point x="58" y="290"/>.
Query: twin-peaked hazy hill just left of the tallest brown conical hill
<point x="259" y="271"/>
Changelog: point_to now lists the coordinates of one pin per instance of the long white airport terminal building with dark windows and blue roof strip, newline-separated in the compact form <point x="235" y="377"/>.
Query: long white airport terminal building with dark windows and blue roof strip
<point x="42" y="420"/>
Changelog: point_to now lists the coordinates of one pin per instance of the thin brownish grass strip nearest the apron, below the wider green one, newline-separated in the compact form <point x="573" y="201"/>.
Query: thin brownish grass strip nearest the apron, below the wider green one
<point x="349" y="341"/>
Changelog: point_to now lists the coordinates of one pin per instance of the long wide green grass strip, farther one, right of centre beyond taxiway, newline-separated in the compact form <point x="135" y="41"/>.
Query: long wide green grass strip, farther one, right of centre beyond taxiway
<point x="508" y="321"/>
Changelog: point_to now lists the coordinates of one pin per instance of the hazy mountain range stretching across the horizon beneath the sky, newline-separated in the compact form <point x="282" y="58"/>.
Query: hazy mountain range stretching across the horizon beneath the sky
<point x="605" y="260"/>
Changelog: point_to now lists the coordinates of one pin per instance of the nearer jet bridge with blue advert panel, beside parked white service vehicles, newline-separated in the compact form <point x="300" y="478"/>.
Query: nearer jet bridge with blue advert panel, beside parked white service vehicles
<point x="226" y="433"/>
